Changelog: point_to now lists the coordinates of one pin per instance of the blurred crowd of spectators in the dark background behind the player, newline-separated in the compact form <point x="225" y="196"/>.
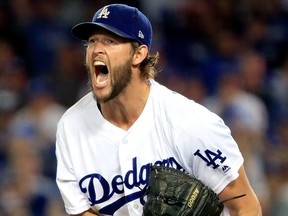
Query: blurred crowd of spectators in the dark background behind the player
<point x="230" y="56"/>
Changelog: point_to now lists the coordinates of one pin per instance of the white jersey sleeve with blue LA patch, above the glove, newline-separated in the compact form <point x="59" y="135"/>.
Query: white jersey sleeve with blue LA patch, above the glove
<point x="208" y="150"/>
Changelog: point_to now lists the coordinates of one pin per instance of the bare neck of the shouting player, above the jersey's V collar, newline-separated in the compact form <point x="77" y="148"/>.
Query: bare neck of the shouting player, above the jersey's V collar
<point x="124" y="110"/>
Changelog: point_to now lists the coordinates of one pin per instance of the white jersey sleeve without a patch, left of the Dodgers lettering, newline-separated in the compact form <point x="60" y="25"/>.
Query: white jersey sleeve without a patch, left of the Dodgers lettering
<point x="74" y="200"/>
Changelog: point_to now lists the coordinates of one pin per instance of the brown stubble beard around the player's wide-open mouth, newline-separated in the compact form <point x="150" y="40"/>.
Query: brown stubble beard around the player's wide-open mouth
<point x="120" y="78"/>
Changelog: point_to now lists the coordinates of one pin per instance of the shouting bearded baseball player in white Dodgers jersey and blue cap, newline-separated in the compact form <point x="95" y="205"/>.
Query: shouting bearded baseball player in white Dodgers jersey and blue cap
<point x="107" y="141"/>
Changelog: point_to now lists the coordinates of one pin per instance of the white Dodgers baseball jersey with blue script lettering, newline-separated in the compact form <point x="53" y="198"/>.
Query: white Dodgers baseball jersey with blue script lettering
<point x="105" y="167"/>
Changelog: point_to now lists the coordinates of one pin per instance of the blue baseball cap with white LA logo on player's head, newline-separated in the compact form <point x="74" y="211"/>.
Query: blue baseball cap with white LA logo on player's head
<point x="120" y="19"/>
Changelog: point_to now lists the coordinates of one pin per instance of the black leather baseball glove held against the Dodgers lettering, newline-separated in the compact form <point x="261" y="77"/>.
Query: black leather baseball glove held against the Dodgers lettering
<point x="171" y="192"/>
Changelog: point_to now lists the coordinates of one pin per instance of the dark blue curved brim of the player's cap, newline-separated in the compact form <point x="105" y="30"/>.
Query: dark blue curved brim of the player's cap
<point x="84" y="30"/>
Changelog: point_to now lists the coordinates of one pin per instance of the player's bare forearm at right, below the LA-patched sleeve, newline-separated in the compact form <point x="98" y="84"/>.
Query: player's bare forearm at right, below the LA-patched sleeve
<point x="247" y="205"/>
